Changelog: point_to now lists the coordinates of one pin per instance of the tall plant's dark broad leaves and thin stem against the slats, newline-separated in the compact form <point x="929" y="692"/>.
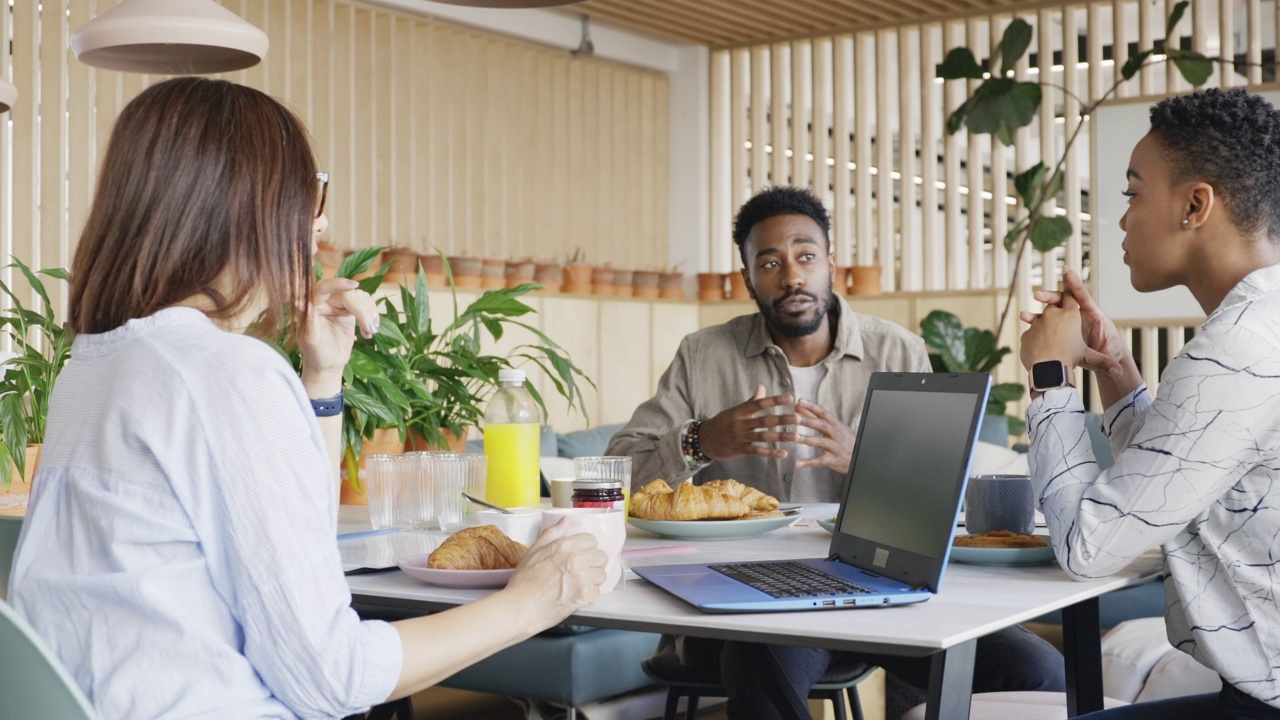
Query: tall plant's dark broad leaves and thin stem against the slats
<point x="1002" y="104"/>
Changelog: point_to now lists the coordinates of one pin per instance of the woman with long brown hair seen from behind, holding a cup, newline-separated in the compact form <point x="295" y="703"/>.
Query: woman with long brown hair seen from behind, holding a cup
<point x="179" y="552"/>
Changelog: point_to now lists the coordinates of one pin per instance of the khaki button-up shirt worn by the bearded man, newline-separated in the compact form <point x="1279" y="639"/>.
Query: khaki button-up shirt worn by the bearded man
<point x="720" y="367"/>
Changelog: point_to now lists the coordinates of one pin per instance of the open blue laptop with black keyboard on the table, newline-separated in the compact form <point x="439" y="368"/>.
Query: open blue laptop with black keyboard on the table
<point x="894" y="532"/>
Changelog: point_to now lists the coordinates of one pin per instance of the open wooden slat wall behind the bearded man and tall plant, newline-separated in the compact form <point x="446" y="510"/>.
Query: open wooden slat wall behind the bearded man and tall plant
<point x="934" y="209"/>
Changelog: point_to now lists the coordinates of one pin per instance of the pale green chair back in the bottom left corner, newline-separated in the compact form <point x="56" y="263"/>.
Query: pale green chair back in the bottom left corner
<point x="33" y="682"/>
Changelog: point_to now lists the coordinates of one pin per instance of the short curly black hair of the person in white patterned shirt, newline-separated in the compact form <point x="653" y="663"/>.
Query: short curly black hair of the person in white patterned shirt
<point x="1231" y="140"/>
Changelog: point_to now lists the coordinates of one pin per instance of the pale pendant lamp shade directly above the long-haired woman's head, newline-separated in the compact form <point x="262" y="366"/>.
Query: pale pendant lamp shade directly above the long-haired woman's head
<point x="170" y="38"/>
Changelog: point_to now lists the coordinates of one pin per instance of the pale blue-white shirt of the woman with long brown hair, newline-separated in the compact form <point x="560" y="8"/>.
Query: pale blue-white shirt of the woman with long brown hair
<point x="180" y="553"/>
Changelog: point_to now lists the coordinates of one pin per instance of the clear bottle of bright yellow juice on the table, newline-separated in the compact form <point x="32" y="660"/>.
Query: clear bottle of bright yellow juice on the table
<point x="511" y="440"/>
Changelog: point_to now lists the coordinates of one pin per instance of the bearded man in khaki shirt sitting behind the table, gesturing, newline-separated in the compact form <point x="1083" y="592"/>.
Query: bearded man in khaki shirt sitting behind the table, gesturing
<point x="774" y="400"/>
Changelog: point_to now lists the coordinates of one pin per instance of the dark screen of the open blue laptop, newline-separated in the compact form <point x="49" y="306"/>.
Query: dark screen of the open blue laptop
<point x="909" y="472"/>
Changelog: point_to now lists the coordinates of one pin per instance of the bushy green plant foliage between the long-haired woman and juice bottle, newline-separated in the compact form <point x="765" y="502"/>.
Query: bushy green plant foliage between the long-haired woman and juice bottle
<point x="417" y="379"/>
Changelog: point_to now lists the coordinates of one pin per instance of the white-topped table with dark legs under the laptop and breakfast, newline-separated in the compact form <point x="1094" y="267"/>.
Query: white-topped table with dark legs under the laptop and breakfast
<point x="975" y="603"/>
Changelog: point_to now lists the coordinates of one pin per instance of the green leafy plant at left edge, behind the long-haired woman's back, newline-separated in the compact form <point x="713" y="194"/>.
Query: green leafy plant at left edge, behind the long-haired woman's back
<point x="42" y="348"/>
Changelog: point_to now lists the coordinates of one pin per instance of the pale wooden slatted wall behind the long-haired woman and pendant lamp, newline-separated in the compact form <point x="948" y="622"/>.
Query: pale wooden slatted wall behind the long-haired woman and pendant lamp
<point x="435" y="135"/>
